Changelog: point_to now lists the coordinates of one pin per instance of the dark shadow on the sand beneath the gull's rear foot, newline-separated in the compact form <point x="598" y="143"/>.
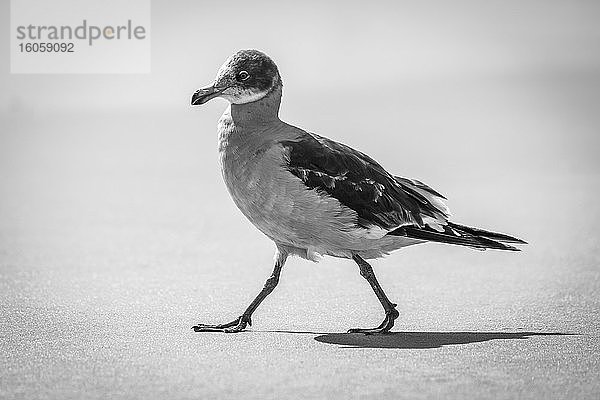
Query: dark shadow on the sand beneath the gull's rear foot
<point x="422" y="340"/>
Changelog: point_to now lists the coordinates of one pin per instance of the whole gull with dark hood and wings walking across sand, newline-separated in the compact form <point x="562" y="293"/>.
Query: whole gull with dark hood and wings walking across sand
<point x="313" y="196"/>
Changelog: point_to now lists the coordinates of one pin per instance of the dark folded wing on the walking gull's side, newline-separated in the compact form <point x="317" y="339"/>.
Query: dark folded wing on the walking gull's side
<point x="360" y="183"/>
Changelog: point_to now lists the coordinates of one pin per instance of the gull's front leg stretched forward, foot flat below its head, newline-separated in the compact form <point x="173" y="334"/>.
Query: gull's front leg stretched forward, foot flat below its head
<point x="240" y="323"/>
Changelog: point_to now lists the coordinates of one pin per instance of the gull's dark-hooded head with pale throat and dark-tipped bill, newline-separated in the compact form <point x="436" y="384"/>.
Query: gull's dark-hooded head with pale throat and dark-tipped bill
<point x="246" y="76"/>
